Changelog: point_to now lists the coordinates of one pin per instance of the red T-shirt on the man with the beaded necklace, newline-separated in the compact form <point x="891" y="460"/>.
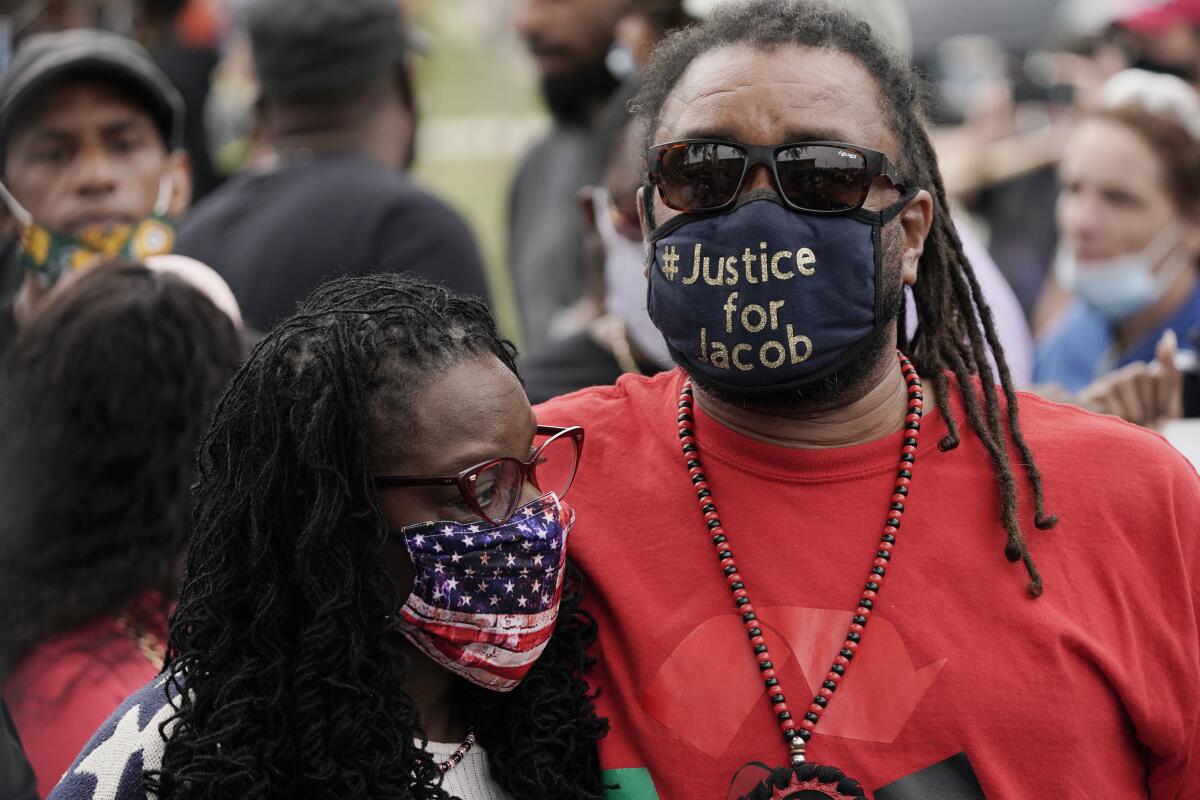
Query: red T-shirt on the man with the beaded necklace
<point x="1093" y="690"/>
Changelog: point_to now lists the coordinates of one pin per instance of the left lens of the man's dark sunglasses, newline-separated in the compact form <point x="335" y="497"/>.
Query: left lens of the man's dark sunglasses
<point x="700" y="176"/>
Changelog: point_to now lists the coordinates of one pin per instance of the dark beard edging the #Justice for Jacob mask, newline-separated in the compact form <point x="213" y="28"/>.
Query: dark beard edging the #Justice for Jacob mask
<point x="863" y="360"/>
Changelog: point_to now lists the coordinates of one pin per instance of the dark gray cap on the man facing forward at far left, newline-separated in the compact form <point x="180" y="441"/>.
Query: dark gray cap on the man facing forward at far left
<point x="45" y="59"/>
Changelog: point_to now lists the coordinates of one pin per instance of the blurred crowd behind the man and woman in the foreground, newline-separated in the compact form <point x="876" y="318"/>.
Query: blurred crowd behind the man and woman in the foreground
<point x="488" y="145"/>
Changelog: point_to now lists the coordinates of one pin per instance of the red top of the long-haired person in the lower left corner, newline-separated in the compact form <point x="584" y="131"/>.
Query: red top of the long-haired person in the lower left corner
<point x="65" y="689"/>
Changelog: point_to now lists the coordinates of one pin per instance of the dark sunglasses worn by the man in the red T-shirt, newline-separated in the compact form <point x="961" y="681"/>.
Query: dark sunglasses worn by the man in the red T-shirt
<point x="814" y="177"/>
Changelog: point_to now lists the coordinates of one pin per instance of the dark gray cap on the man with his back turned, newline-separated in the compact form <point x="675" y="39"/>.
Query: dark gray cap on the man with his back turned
<point x="311" y="51"/>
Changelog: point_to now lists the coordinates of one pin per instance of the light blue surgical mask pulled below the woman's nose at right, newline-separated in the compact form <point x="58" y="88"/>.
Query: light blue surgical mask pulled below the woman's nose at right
<point x="1120" y="287"/>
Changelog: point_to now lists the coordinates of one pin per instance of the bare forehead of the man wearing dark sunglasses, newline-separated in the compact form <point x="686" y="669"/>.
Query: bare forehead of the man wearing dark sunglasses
<point x="773" y="97"/>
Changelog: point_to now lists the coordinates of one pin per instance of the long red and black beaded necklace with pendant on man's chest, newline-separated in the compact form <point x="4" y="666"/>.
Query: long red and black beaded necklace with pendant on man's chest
<point x="802" y="775"/>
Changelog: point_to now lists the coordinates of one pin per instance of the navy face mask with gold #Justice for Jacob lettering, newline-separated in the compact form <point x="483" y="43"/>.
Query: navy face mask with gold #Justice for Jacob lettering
<point x="764" y="298"/>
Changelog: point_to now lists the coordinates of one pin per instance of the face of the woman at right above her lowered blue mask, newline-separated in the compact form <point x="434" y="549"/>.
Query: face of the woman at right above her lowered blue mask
<point x="1114" y="200"/>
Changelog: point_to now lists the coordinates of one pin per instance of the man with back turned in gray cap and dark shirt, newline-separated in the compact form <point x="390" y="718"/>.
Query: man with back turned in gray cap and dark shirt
<point x="338" y="110"/>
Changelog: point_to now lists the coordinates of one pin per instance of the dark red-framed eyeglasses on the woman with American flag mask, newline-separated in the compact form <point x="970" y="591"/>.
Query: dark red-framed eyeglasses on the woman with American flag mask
<point x="493" y="489"/>
